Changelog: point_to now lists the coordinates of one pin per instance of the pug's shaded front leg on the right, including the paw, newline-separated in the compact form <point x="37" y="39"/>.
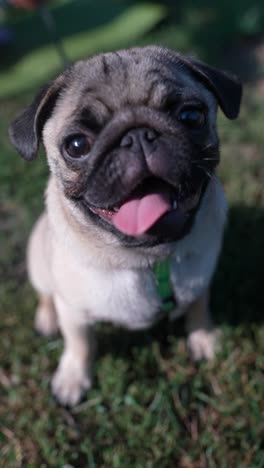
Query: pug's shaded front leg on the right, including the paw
<point x="202" y="337"/>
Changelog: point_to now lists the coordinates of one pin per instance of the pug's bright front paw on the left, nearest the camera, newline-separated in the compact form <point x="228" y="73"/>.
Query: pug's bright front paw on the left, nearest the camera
<point x="70" y="381"/>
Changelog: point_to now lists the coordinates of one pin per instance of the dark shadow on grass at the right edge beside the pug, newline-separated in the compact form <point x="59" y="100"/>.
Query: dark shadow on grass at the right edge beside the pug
<point x="238" y="295"/>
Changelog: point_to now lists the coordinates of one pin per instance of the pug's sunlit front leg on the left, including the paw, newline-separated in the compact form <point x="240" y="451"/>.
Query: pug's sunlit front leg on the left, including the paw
<point x="73" y="375"/>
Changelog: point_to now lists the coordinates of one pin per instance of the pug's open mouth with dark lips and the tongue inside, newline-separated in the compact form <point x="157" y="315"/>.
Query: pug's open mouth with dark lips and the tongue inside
<point x="153" y="204"/>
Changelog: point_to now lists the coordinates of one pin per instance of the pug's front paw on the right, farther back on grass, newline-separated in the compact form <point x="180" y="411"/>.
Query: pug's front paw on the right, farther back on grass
<point x="203" y="344"/>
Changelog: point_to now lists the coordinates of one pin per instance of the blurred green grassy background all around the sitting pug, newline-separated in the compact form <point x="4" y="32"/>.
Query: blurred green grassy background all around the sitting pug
<point x="150" y="405"/>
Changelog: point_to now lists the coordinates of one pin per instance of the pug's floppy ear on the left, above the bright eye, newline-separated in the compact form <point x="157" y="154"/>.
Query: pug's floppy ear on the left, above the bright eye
<point x="25" y="131"/>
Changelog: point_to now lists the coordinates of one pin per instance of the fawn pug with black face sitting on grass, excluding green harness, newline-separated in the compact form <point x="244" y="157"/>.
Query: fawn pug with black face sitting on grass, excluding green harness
<point x="132" y="147"/>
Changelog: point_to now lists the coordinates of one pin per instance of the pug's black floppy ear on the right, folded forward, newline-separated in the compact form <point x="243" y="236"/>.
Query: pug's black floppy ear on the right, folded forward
<point x="225" y="86"/>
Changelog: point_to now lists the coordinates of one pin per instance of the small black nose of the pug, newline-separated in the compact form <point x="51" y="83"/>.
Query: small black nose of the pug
<point x="138" y="138"/>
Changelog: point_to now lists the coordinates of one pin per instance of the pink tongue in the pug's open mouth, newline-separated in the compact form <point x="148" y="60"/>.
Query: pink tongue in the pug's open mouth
<point x="136" y="216"/>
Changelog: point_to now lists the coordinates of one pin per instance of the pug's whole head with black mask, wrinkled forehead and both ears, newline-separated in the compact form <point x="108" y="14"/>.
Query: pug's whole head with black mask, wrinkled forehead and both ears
<point x="131" y="137"/>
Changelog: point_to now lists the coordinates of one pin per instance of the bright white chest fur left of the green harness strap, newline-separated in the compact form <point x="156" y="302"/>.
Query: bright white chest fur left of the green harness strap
<point x="125" y="297"/>
